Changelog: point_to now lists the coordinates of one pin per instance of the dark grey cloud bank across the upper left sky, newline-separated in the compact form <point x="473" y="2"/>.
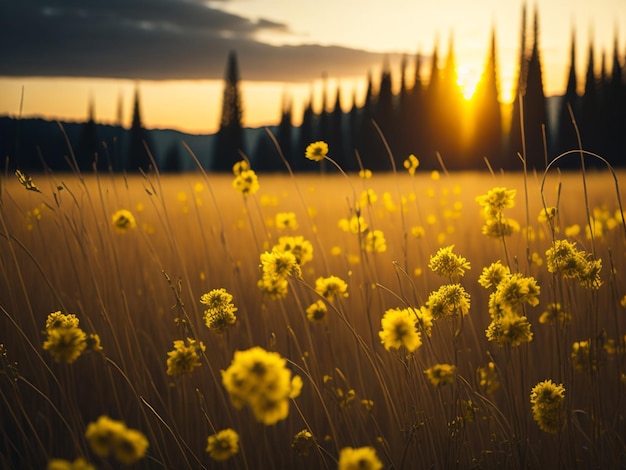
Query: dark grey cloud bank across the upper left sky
<point x="157" y="40"/>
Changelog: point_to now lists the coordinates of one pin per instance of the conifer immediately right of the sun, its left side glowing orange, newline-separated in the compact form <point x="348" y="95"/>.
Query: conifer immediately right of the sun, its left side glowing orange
<point x="487" y="122"/>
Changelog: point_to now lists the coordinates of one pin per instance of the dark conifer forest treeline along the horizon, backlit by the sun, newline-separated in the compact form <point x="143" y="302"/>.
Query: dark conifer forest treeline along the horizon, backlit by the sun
<point x="428" y="118"/>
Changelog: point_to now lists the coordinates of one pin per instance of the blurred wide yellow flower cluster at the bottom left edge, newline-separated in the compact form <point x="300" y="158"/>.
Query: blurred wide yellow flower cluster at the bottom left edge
<point x="107" y="436"/>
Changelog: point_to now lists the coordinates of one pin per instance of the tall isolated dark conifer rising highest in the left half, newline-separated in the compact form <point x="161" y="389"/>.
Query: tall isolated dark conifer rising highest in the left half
<point x="229" y="138"/>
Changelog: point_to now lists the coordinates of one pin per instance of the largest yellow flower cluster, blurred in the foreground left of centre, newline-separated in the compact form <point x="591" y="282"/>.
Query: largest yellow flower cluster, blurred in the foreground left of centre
<point x="261" y="380"/>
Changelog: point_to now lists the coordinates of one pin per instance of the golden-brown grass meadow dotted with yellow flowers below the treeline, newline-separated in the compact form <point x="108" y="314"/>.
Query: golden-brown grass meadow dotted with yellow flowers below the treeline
<point x="139" y="288"/>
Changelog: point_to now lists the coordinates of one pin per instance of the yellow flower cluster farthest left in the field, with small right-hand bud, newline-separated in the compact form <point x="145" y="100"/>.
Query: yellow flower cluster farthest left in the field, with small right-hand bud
<point x="65" y="340"/>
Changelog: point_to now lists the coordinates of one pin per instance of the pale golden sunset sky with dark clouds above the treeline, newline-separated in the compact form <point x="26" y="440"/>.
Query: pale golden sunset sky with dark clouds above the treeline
<point x="57" y="56"/>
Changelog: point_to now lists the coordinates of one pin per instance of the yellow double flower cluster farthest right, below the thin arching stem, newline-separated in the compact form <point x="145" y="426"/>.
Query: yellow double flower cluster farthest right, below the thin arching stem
<point x="563" y="257"/>
